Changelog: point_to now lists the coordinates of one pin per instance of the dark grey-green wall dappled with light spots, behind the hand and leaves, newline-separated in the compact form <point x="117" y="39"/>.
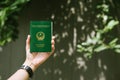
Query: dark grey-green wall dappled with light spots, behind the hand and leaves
<point x="71" y="25"/>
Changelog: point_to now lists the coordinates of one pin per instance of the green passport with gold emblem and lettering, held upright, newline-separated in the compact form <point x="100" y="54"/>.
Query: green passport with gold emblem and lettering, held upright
<point x="41" y="34"/>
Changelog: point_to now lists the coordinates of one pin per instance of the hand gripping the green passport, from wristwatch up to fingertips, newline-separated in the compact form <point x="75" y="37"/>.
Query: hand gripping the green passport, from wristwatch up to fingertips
<point x="35" y="59"/>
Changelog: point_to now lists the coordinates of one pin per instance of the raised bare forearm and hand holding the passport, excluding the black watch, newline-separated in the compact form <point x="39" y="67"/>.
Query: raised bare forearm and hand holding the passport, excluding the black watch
<point x="33" y="60"/>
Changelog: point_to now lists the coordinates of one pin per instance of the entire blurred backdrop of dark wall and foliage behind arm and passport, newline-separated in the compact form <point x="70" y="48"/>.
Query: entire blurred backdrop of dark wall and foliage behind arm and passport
<point x="87" y="38"/>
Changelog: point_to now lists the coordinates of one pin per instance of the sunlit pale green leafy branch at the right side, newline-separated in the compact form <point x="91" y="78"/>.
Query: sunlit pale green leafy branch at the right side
<point x="98" y="42"/>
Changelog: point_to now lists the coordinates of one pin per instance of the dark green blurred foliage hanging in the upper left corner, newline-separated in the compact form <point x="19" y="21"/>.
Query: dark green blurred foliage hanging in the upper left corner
<point x="9" y="10"/>
